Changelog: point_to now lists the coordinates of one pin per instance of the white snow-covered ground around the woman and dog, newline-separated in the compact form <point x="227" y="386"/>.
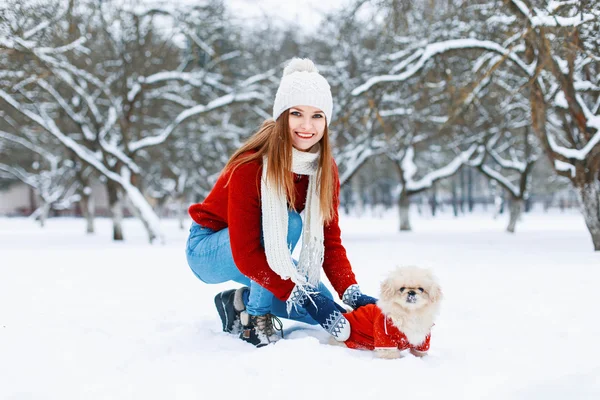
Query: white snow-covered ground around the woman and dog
<point x="82" y="317"/>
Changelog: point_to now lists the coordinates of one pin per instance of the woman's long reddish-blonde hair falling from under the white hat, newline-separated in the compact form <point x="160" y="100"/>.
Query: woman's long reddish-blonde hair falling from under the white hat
<point x="274" y="140"/>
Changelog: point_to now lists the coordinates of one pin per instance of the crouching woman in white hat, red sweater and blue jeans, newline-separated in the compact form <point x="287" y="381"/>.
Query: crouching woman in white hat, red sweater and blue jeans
<point x="247" y="227"/>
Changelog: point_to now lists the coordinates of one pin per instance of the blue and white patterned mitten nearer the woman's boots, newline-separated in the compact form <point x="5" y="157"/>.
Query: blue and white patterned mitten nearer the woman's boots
<point x="323" y="310"/>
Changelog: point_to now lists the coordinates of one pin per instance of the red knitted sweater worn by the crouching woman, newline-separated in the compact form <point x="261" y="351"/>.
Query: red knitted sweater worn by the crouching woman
<point x="237" y="206"/>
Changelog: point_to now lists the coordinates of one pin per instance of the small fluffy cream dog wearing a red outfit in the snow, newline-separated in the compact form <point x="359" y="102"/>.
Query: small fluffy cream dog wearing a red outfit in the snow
<point x="402" y="319"/>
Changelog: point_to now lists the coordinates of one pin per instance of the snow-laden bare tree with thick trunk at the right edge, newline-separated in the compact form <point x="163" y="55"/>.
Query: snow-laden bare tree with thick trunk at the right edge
<point x="561" y="76"/>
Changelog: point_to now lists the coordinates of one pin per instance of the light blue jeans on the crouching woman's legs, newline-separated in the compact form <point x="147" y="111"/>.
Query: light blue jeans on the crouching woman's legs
<point x="210" y="258"/>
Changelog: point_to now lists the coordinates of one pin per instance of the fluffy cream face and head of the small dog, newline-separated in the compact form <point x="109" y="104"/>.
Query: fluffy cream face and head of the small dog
<point x="411" y="288"/>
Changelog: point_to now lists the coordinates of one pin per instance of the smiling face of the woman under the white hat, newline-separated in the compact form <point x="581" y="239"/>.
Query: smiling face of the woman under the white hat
<point x="307" y="126"/>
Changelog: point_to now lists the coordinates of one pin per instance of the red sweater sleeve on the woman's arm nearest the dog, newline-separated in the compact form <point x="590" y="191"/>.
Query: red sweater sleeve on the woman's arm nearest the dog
<point x="335" y="261"/>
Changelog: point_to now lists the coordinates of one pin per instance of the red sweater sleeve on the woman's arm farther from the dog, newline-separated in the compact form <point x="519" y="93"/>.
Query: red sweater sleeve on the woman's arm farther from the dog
<point x="244" y="220"/>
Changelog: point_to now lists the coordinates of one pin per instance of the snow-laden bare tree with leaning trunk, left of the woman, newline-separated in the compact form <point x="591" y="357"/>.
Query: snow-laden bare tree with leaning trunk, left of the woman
<point x="122" y="93"/>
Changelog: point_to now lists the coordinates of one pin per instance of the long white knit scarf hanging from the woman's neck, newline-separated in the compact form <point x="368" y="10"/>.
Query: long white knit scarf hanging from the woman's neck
<point x="275" y="224"/>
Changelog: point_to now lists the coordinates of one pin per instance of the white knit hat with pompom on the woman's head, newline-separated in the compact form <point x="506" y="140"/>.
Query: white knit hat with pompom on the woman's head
<point x="302" y="85"/>
